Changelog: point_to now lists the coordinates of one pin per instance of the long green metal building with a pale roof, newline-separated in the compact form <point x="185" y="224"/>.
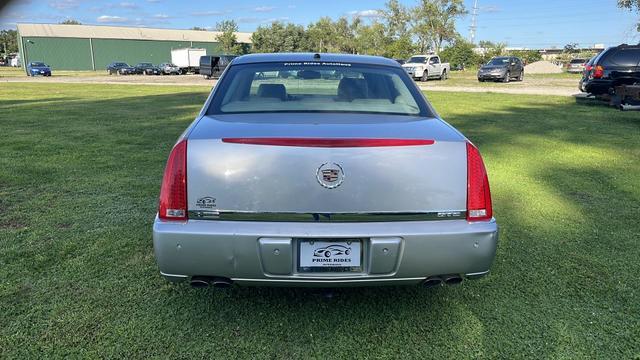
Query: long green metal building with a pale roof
<point x="89" y="47"/>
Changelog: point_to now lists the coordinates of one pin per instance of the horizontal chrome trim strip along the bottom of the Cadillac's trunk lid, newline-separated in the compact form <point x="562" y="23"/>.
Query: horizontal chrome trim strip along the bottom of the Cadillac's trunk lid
<point x="333" y="217"/>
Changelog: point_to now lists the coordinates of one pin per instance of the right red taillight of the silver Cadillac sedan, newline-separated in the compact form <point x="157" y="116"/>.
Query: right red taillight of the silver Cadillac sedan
<point x="478" y="193"/>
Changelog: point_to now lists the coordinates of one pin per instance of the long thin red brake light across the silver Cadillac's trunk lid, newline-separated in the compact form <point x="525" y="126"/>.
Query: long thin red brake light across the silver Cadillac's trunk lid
<point x="322" y="142"/>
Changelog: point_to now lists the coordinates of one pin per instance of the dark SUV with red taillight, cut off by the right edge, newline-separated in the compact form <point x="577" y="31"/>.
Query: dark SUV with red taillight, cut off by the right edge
<point x="615" y="66"/>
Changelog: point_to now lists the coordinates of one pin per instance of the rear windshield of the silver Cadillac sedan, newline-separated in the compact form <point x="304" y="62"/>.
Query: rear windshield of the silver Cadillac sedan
<point x="317" y="87"/>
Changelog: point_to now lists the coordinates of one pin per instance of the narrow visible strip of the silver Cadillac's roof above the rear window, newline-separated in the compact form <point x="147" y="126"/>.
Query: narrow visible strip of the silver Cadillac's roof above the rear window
<point x="301" y="57"/>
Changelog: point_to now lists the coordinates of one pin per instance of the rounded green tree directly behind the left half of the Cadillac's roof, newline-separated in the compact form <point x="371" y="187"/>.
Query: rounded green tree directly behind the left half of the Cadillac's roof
<point x="280" y="37"/>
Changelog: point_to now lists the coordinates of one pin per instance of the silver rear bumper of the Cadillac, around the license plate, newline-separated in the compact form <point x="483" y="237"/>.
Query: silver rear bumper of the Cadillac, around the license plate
<point x="265" y="253"/>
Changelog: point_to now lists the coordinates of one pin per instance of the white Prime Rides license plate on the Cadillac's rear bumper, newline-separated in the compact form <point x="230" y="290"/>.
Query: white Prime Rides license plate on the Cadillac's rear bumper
<point x="329" y="255"/>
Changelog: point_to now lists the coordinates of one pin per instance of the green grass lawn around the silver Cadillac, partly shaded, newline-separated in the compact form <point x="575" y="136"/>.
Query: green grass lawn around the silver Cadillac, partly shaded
<point x="80" y="172"/>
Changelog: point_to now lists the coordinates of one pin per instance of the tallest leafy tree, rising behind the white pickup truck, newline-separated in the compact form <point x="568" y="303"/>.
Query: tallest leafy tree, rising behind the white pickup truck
<point x="434" y="22"/>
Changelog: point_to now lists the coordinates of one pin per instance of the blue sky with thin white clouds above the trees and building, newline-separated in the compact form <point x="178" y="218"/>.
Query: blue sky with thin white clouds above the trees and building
<point x="519" y="23"/>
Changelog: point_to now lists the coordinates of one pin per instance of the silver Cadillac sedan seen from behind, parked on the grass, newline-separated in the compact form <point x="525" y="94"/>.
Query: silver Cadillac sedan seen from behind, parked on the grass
<point x="322" y="170"/>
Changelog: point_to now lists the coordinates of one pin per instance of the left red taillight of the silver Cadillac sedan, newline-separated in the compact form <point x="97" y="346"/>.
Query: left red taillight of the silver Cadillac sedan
<point x="173" y="193"/>
